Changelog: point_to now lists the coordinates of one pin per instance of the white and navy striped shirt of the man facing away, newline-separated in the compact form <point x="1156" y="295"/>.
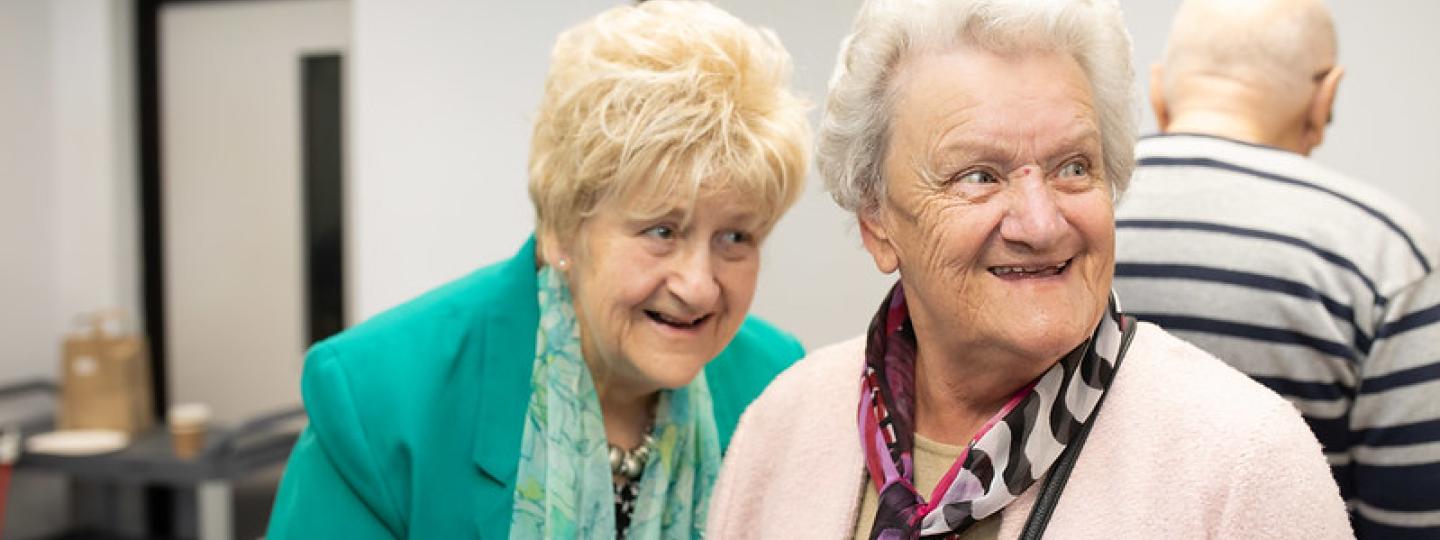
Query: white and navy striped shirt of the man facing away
<point x="1317" y="286"/>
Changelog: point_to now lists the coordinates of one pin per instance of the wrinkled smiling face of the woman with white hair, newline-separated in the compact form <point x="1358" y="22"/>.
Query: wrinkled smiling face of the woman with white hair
<point x="996" y="214"/>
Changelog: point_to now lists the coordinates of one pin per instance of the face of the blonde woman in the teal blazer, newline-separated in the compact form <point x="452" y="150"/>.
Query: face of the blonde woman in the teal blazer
<point x="659" y="299"/>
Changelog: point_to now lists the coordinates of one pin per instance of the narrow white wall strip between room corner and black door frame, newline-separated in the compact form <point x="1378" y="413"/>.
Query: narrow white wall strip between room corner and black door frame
<point x="94" y="159"/>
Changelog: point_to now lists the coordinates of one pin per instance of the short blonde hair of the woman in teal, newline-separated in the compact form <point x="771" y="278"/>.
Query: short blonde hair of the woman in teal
<point x="666" y="100"/>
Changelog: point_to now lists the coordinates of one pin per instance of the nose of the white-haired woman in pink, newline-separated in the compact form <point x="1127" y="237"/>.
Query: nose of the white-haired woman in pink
<point x="1033" y="218"/>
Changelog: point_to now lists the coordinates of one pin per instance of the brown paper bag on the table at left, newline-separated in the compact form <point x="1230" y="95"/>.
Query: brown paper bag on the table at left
<point x="106" y="378"/>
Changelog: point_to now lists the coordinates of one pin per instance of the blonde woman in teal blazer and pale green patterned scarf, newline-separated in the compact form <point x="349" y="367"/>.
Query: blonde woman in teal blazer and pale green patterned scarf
<point x="588" y="387"/>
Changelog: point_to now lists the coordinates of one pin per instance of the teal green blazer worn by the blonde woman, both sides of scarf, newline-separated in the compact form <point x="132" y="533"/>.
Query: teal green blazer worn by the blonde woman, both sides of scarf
<point x="417" y="415"/>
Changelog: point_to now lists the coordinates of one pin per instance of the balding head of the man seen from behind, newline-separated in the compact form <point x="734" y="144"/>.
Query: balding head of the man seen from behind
<point x="1261" y="71"/>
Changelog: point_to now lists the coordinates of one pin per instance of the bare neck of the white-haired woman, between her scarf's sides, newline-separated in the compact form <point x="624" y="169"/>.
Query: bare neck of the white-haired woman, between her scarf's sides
<point x="955" y="397"/>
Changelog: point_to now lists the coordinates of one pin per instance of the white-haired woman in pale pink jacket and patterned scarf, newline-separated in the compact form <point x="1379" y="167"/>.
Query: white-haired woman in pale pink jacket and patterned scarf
<point x="1000" y="391"/>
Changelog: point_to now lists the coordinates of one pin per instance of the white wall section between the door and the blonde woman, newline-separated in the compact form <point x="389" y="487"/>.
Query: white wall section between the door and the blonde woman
<point x="443" y="100"/>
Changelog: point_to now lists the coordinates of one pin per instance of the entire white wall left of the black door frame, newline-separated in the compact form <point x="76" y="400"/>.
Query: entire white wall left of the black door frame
<point x="68" y="205"/>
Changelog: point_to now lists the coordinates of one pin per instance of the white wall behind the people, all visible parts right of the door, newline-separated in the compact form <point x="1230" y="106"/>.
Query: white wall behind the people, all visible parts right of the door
<point x="446" y="94"/>
